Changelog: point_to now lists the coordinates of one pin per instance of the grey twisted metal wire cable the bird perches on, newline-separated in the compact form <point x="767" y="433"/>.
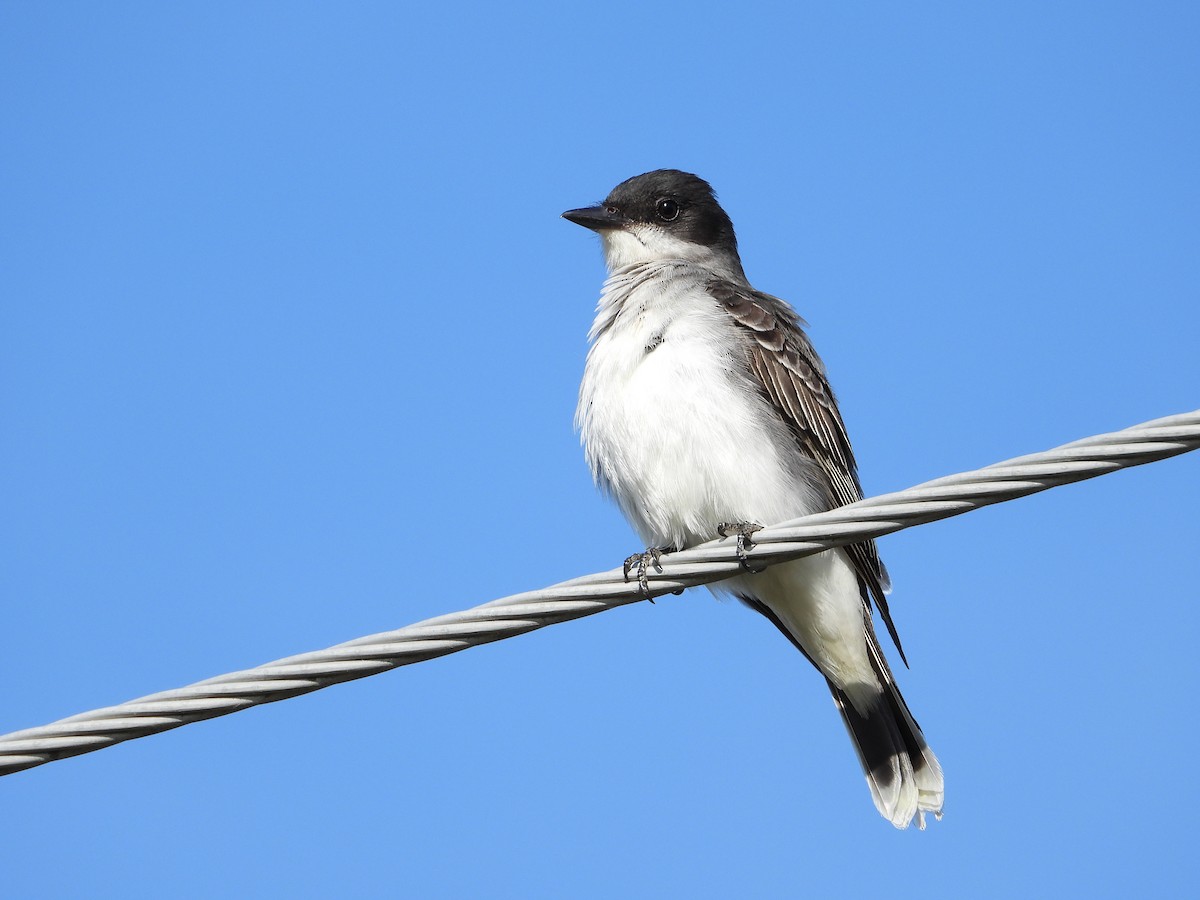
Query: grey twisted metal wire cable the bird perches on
<point x="508" y="617"/>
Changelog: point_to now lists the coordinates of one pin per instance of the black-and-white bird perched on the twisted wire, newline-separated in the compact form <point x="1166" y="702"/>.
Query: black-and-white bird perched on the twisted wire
<point x="705" y="412"/>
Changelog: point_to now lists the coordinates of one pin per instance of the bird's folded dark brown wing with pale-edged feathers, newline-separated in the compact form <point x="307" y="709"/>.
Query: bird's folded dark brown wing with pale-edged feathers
<point x="794" y="379"/>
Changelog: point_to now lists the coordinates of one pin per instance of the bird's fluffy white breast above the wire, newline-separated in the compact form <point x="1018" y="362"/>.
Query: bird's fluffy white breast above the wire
<point x="673" y="423"/>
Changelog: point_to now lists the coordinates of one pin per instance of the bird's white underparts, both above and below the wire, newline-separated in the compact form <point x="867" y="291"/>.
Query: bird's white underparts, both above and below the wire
<point x="679" y="433"/>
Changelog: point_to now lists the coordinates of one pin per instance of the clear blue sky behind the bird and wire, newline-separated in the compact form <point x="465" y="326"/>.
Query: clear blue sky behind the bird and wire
<point x="291" y="334"/>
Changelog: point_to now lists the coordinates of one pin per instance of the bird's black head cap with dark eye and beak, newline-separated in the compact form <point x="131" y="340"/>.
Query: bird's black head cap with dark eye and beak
<point x="677" y="202"/>
